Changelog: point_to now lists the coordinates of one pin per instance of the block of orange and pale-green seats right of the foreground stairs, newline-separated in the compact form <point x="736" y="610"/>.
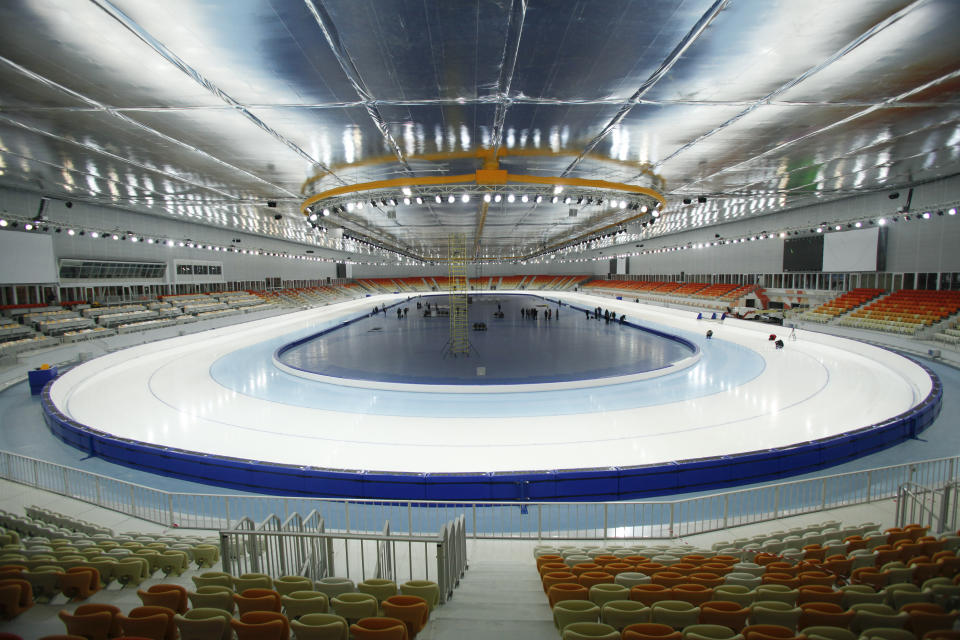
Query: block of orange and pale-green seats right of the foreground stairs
<point x="738" y="589"/>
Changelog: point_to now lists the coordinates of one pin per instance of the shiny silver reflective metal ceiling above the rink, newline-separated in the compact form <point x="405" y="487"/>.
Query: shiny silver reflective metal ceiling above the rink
<point x="208" y="110"/>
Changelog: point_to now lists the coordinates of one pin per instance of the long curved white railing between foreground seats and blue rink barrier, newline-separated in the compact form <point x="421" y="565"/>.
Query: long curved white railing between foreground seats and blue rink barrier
<point x="651" y="519"/>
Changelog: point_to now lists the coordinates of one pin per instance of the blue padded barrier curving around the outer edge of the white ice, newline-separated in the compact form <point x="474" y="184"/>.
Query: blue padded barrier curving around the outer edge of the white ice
<point x="596" y="484"/>
